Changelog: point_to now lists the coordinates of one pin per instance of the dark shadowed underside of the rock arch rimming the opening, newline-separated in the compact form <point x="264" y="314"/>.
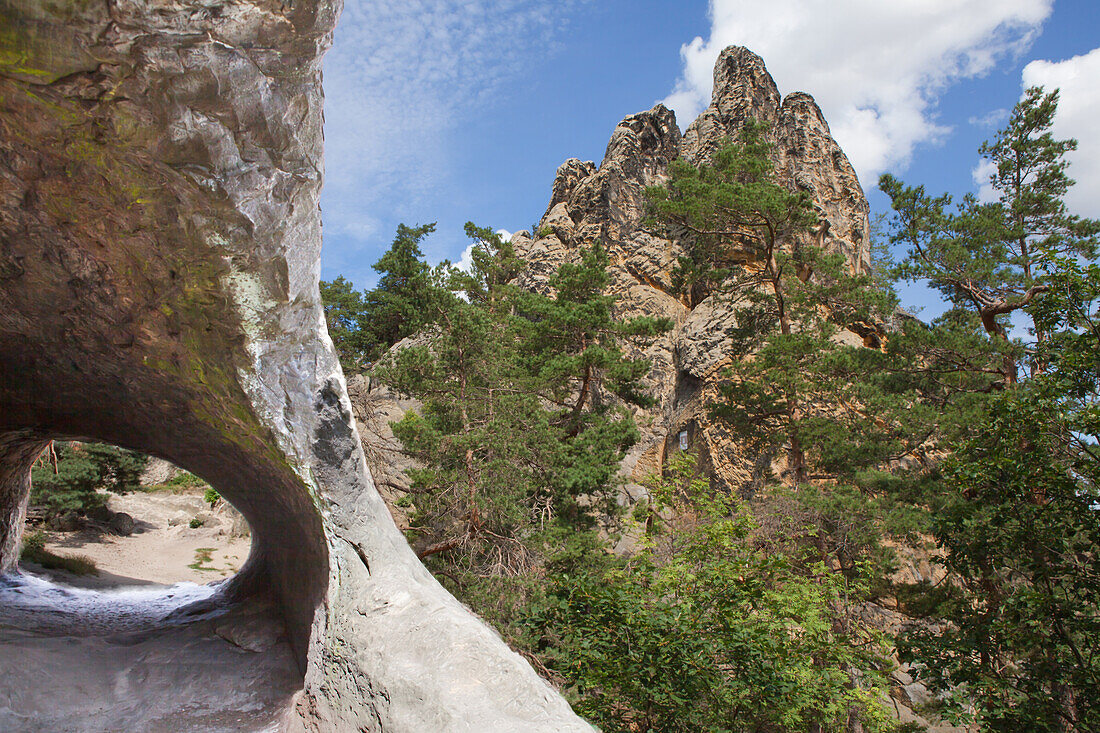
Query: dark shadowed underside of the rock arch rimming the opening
<point x="289" y="560"/>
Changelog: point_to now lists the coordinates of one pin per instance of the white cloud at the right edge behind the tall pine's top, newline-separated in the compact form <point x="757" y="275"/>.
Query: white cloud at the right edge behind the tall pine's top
<point x="1079" y="80"/>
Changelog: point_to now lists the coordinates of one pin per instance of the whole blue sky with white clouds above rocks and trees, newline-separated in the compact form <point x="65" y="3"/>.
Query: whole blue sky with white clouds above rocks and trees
<point x="455" y="111"/>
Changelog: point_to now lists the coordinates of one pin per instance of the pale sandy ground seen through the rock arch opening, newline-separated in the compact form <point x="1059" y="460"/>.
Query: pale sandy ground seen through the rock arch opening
<point x="163" y="549"/>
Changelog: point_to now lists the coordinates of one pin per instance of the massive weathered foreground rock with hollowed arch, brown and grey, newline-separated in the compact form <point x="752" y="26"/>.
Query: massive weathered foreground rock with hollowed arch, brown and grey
<point x="160" y="171"/>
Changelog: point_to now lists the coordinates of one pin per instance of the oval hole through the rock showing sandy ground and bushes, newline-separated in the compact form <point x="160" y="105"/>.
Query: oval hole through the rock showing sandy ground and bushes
<point x="101" y="518"/>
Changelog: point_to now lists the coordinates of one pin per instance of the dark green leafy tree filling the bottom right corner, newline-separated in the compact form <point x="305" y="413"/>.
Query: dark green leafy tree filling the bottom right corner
<point x="1022" y="540"/>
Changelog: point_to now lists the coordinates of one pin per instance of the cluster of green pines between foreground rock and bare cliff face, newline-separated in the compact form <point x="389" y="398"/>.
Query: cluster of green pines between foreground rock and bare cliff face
<point x="519" y="432"/>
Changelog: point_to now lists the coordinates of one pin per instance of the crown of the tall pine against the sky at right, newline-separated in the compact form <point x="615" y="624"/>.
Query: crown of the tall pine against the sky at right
<point x="988" y="258"/>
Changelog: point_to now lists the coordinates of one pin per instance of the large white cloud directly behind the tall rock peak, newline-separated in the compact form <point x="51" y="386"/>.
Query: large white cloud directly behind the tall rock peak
<point x="875" y="68"/>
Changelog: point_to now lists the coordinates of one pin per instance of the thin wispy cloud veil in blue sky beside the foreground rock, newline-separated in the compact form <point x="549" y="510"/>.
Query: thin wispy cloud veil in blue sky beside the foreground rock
<point x="402" y="79"/>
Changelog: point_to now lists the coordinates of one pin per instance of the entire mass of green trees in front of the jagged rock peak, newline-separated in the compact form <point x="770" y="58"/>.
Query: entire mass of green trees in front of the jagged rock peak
<point x="753" y="616"/>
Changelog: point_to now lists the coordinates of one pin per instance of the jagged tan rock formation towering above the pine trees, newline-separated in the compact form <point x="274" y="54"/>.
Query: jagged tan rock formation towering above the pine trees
<point x="607" y="205"/>
